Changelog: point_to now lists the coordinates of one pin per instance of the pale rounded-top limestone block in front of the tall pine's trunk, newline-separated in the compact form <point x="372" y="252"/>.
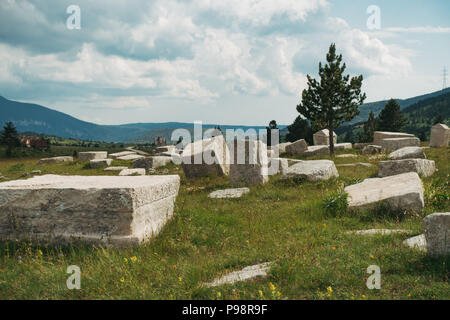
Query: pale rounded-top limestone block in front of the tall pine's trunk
<point x="312" y="170"/>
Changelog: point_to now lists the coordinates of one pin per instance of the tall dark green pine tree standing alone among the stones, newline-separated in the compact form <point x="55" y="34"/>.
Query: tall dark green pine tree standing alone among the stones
<point x="335" y="98"/>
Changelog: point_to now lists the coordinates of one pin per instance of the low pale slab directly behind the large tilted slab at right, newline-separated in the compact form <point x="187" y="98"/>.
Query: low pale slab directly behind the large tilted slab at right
<point x="423" y="167"/>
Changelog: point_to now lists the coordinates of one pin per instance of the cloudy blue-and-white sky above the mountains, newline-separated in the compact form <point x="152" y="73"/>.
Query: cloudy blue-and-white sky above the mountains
<point x="241" y="62"/>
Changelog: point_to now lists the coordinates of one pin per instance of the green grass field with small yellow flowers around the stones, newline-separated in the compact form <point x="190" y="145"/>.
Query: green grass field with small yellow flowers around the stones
<point x="282" y="221"/>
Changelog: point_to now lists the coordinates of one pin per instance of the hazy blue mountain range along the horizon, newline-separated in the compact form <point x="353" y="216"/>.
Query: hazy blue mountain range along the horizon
<point x="29" y="117"/>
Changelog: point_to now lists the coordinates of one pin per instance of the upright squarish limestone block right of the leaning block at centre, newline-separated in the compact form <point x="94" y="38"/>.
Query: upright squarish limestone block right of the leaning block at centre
<point x="249" y="165"/>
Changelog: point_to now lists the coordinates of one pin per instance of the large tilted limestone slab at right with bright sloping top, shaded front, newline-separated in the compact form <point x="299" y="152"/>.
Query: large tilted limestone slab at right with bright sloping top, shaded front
<point x="403" y="191"/>
